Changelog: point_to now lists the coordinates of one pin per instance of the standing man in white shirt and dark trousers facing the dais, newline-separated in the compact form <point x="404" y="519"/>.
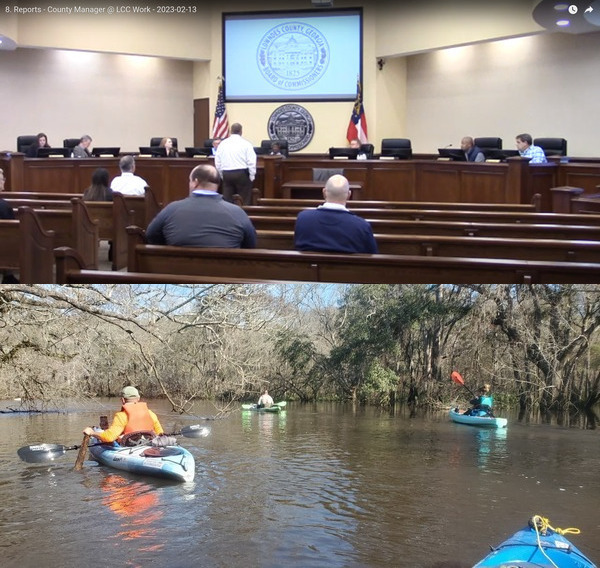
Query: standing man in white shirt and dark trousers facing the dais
<point x="236" y="161"/>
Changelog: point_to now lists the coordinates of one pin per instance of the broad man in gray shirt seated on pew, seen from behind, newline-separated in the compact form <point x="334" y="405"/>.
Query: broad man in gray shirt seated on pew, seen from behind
<point x="203" y="219"/>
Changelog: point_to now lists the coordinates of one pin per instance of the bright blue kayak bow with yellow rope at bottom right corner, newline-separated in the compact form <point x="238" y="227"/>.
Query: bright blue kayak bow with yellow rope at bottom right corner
<point x="536" y="548"/>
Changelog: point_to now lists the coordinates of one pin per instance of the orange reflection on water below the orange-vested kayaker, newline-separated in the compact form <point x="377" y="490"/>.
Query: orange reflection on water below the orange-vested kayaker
<point x="137" y="505"/>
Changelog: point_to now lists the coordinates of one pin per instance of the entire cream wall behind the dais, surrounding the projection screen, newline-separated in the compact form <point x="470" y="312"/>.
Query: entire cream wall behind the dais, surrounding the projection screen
<point x="542" y="84"/>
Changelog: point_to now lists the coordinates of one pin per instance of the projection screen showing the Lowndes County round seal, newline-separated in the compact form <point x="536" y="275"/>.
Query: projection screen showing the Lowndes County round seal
<point x="300" y="56"/>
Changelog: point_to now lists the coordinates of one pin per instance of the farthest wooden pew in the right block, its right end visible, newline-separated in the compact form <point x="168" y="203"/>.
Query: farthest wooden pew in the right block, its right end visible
<point x="438" y="205"/>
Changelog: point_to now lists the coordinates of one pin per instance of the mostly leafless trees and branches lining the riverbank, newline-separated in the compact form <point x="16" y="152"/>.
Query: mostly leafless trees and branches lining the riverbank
<point x="536" y="345"/>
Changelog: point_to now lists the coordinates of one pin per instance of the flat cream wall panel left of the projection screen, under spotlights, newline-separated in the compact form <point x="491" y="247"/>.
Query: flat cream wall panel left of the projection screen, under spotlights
<point x="119" y="100"/>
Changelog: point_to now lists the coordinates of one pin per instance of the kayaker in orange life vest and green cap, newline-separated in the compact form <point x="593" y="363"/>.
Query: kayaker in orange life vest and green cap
<point x="134" y="416"/>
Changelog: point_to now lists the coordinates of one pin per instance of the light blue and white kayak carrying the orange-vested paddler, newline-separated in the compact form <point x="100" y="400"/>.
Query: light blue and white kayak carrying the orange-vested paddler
<point x="170" y="462"/>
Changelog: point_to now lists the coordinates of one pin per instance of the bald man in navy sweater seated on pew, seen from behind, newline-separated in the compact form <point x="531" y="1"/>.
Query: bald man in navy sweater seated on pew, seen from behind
<point x="331" y="227"/>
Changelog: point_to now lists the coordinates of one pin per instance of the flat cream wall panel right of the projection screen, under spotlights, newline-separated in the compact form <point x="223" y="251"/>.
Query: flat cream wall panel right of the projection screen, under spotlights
<point x="547" y="85"/>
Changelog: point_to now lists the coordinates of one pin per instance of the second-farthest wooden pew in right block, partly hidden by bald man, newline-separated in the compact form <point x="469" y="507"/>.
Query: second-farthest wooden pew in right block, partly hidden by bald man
<point x="453" y="228"/>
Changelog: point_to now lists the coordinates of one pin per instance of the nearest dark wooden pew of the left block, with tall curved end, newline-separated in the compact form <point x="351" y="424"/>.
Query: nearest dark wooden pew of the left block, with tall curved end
<point x="27" y="248"/>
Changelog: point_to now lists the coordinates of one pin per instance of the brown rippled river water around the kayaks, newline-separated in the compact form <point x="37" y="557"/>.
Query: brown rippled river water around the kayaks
<point x="317" y="486"/>
